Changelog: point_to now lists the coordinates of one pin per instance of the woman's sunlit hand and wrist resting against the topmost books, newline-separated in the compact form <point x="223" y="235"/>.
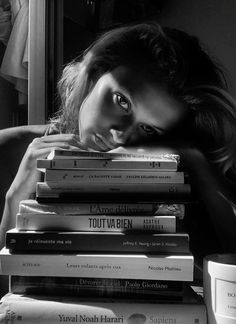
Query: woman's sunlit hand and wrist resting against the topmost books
<point x="27" y="175"/>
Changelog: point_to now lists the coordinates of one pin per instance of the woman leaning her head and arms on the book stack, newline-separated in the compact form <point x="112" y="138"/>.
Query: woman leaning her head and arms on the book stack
<point x="150" y="86"/>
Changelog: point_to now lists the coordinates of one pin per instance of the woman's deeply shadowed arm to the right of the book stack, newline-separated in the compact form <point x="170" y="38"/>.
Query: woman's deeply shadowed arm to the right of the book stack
<point x="217" y="194"/>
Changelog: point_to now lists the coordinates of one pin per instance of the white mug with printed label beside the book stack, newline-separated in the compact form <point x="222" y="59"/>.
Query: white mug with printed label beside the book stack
<point x="219" y="282"/>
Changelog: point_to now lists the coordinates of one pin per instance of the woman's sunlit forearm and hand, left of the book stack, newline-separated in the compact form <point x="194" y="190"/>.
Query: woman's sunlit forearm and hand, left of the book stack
<point x="27" y="175"/>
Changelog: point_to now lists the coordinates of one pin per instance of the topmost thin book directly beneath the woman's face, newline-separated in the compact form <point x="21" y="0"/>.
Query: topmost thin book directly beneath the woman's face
<point x="74" y="153"/>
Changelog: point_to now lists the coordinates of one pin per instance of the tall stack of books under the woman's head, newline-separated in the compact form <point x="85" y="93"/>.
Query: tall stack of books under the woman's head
<point x="102" y="243"/>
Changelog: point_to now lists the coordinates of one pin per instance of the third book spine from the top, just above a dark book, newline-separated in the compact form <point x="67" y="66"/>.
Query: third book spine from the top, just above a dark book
<point x="61" y="177"/>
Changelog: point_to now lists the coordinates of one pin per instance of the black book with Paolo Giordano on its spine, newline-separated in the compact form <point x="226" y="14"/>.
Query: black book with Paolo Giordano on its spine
<point x="100" y="287"/>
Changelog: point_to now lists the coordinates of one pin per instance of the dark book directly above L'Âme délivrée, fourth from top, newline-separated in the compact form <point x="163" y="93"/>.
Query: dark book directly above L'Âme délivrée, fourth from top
<point x="108" y="192"/>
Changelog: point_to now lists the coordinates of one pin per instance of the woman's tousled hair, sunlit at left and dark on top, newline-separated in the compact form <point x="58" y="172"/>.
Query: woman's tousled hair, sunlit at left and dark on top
<point x="174" y="60"/>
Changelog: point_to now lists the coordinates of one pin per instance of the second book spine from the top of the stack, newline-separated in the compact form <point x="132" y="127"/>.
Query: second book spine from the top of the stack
<point x="160" y="165"/>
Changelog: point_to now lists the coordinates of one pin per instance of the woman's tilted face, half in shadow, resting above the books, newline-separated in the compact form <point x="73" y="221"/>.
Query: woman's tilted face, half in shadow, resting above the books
<point x="124" y="108"/>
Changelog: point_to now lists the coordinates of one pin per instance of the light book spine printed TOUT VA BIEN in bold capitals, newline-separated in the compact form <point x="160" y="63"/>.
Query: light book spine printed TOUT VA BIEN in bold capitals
<point x="37" y="222"/>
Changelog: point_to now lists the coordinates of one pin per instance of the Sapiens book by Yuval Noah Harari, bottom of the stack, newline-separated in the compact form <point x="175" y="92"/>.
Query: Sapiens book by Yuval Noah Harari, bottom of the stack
<point x="22" y="309"/>
